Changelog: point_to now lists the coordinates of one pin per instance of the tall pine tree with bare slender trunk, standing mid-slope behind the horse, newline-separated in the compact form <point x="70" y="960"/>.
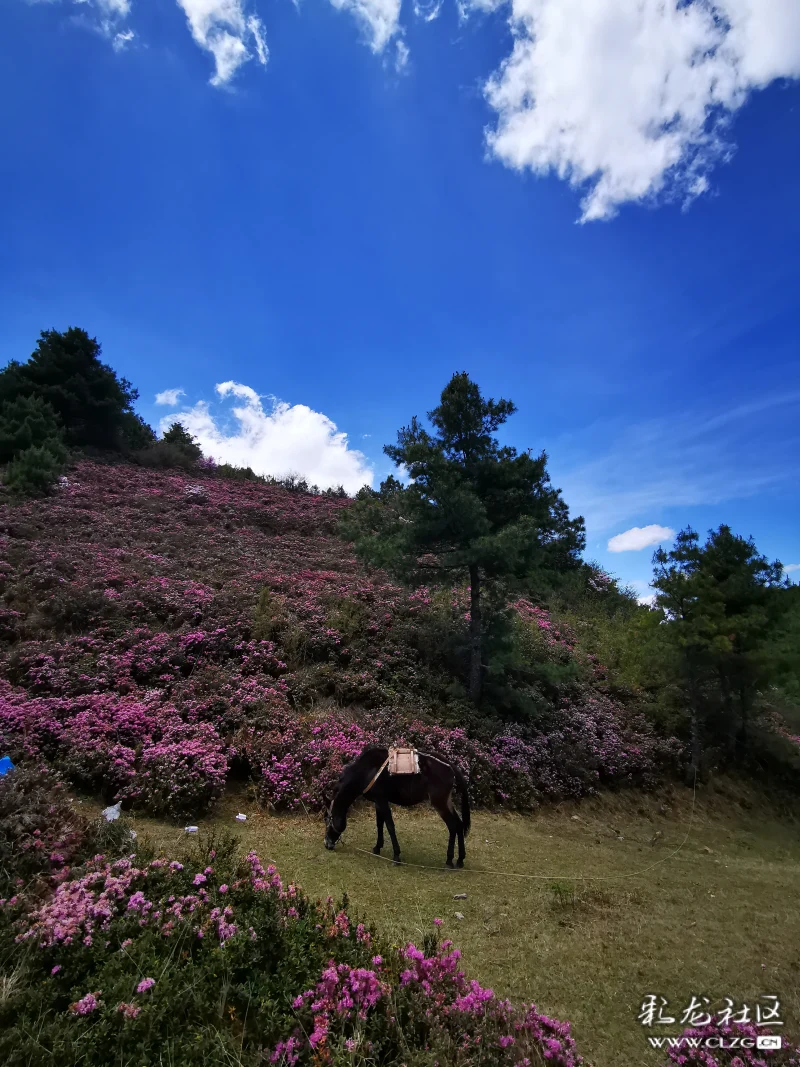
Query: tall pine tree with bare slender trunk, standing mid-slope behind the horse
<point x="472" y="509"/>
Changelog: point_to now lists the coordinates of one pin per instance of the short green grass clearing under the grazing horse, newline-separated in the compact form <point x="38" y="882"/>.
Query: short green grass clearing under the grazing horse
<point x="719" y="919"/>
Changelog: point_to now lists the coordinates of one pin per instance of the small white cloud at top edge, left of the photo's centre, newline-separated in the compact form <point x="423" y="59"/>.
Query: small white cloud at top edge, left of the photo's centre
<point x="220" y="27"/>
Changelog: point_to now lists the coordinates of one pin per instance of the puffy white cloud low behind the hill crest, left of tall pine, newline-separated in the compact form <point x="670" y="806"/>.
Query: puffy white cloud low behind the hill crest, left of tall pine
<point x="287" y="439"/>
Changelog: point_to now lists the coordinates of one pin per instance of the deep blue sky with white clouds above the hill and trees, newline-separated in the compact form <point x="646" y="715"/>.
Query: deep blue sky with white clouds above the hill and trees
<point x="590" y="205"/>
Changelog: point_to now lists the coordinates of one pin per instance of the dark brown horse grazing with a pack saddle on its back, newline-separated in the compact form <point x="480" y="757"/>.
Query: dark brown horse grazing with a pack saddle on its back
<point x="438" y="782"/>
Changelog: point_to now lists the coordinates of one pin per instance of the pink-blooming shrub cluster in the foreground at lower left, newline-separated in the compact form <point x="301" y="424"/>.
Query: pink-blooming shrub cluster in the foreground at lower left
<point x="213" y="957"/>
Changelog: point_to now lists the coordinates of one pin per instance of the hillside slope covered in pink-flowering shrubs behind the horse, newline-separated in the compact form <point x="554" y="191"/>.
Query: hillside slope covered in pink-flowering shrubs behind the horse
<point x="163" y="631"/>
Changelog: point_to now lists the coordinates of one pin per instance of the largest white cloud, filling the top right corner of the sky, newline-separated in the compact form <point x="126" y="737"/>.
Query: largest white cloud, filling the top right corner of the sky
<point x="631" y="99"/>
